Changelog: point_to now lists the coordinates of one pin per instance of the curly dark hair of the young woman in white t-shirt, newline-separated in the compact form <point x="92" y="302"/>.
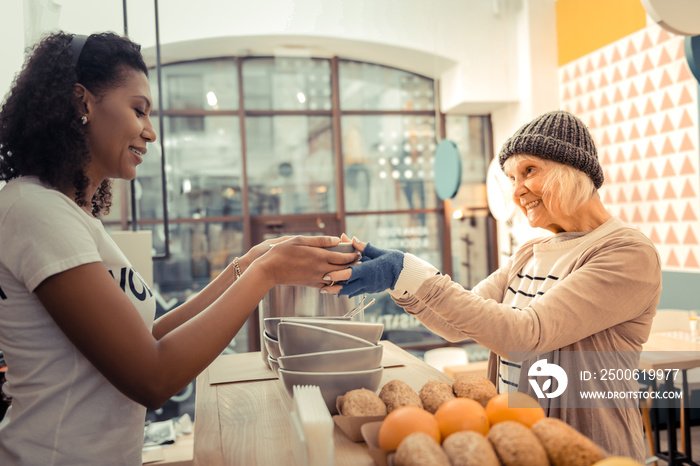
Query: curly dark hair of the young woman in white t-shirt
<point x="40" y="129"/>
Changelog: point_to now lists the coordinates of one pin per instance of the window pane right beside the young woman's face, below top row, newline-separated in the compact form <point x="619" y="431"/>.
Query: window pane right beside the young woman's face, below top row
<point x="203" y="169"/>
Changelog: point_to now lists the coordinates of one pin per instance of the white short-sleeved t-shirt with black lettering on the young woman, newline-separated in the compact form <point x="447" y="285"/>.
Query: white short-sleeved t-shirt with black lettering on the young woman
<point x="64" y="412"/>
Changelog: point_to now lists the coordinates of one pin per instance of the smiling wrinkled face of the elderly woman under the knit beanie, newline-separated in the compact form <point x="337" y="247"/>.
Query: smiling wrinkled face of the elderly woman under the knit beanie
<point x="528" y="176"/>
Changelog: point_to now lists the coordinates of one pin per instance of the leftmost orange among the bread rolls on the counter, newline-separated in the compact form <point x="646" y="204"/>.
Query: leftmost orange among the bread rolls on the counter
<point x="404" y="421"/>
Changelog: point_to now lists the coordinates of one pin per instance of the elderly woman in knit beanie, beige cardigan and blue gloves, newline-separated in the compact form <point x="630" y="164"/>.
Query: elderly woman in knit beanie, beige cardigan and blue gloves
<point x="592" y="287"/>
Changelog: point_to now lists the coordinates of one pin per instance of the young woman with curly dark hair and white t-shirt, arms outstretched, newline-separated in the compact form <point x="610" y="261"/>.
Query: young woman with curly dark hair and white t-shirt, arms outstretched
<point x="84" y="356"/>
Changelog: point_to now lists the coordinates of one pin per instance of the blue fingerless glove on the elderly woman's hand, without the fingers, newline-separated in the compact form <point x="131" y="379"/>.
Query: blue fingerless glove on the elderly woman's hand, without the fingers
<point x="378" y="270"/>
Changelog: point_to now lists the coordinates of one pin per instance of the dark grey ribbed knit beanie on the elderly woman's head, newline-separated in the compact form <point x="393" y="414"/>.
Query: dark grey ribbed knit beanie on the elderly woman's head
<point x="558" y="136"/>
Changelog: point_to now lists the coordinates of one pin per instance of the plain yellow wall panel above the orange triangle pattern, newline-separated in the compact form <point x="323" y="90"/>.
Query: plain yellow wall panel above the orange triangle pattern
<point x="586" y="25"/>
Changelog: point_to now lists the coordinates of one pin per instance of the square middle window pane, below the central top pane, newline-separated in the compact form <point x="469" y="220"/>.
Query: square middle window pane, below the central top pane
<point x="290" y="165"/>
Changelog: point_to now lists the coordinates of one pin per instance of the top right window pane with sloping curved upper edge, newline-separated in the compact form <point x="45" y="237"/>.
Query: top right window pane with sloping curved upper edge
<point x="365" y="86"/>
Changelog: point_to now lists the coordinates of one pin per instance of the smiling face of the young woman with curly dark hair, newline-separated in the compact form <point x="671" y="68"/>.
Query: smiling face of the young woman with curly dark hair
<point x="119" y="127"/>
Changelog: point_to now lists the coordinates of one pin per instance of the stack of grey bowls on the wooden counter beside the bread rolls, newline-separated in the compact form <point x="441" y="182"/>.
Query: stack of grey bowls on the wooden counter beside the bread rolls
<point x="336" y="354"/>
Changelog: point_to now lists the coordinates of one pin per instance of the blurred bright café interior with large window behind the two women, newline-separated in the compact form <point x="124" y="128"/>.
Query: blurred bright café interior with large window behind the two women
<point x="280" y="117"/>
